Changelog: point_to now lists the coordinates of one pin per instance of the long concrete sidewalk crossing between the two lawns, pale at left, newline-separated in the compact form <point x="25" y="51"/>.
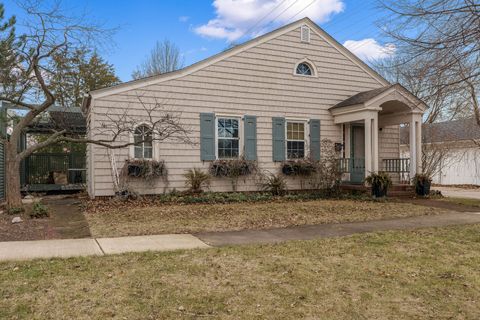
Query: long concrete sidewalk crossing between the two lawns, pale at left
<point x="24" y="250"/>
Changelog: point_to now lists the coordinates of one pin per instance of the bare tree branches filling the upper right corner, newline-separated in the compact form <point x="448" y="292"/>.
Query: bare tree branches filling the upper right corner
<point x="444" y="35"/>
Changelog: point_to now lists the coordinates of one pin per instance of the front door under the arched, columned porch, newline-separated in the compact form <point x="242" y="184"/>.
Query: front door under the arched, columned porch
<point x="357" y="156"/>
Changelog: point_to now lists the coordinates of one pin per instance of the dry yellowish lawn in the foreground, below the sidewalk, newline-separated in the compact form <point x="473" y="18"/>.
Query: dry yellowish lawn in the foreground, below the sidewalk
<point x="429" y="273"/>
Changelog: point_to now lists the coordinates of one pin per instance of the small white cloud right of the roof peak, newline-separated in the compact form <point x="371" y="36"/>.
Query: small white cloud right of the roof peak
<point x="369" y="49"/>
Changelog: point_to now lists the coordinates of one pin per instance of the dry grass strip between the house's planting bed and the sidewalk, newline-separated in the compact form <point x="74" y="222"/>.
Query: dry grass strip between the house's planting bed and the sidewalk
<point x="131" y="219"/>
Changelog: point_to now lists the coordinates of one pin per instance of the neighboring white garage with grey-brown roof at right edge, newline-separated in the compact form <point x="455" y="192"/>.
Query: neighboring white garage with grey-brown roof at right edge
<point x="450" y="150"/>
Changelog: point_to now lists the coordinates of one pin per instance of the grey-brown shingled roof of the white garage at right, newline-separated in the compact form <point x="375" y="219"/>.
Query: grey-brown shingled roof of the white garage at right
<point x="448" y="131"/>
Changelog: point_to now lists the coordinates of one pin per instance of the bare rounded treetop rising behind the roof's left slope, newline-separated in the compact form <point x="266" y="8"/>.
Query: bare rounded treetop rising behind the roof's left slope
<point x="164" y="57"/>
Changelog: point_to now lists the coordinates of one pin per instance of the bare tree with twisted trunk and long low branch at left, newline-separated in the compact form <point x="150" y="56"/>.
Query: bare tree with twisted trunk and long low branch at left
<point x="27" y="83"/>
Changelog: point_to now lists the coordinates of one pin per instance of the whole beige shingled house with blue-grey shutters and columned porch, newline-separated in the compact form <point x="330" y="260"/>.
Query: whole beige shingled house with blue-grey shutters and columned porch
<point x="280" y="94"/>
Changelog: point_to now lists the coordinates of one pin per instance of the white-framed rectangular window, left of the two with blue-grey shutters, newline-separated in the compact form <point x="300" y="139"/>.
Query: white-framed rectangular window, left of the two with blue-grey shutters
<point x="228" y="138"/>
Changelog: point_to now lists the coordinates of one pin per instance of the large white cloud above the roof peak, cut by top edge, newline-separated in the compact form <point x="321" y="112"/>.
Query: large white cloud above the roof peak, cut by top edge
<point x="236" y="17"/>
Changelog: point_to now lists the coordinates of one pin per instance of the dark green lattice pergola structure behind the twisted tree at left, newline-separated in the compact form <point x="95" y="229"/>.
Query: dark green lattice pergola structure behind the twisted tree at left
<point x="58" y="167"/>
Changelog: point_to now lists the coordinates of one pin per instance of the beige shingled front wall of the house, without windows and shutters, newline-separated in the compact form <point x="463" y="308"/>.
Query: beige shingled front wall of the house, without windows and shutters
<point x="258" y="81"/>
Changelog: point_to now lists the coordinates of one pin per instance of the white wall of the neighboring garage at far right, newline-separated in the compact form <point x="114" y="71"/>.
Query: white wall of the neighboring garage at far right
<point x="460" y="166"/>
